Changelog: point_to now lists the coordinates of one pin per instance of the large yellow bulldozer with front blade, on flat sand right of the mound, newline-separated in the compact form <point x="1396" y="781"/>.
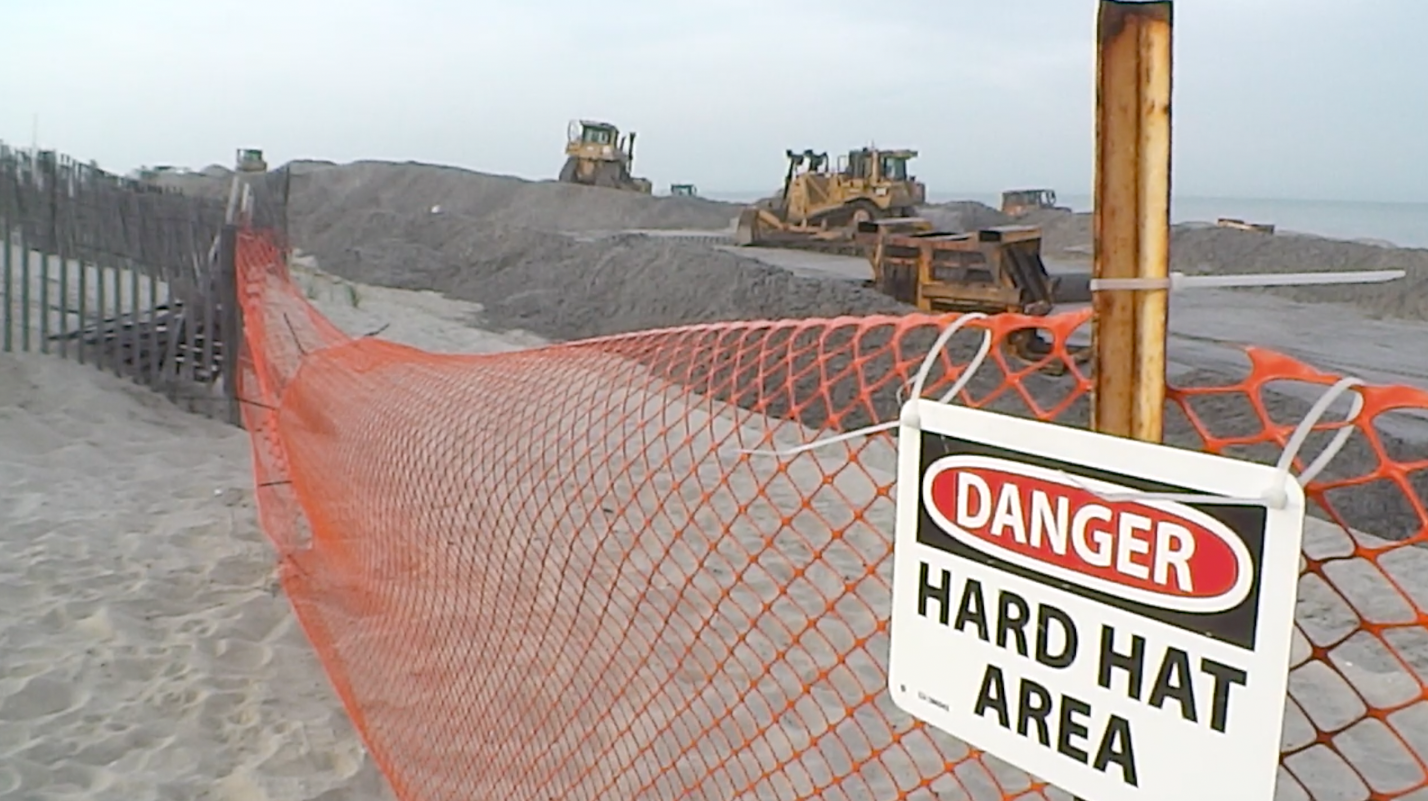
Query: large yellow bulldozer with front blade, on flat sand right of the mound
<point x="820" y="208"/>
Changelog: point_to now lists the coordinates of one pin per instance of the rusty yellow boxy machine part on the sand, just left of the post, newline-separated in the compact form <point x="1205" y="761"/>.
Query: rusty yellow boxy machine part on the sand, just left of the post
<point x="992" y="271"/>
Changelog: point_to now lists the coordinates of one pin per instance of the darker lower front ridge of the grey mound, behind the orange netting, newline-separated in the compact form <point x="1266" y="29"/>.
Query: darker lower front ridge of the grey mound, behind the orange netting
<point x="566" y="289"/>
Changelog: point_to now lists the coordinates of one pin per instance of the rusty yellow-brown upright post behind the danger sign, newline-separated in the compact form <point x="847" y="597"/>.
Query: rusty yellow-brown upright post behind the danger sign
<point x="1132" y="225"/>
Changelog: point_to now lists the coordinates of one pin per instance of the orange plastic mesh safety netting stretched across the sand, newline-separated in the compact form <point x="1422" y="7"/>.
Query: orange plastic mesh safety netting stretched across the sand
<point x="552" y="575"/>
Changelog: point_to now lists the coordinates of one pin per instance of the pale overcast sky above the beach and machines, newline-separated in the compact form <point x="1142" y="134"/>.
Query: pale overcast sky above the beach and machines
<point x="1300" y="99"/>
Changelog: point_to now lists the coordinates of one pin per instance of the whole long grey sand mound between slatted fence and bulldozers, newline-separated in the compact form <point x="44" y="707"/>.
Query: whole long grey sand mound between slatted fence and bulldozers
<point x="493" y="242"/>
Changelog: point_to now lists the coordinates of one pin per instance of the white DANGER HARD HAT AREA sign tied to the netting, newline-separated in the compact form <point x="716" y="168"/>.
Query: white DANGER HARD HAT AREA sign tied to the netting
<point x="1119" y="646"/>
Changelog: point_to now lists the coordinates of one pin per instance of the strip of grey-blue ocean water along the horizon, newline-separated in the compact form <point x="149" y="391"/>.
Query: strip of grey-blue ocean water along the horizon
<point x="1404" y="225"/>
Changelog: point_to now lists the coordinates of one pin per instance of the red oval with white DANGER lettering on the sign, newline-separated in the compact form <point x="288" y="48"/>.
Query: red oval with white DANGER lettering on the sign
<point x="1166" y="552"/>
